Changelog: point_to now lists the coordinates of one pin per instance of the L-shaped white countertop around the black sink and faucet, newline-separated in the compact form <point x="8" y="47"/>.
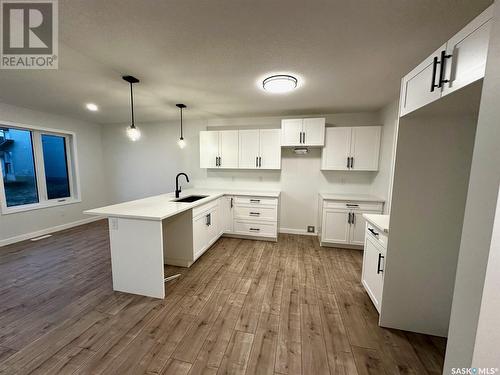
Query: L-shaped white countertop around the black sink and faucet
<point x="160" y="207"/>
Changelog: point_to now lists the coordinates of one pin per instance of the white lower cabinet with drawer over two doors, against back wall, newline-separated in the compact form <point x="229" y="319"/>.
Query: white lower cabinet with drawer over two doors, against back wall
<point x="342" y="222"/>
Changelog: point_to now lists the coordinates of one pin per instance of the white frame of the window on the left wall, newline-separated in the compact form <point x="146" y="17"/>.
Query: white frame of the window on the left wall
<point x="71" y="160"/>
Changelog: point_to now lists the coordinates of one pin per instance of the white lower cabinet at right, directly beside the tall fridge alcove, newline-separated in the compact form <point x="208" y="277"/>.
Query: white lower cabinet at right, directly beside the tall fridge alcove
<point x="372" y="276"/>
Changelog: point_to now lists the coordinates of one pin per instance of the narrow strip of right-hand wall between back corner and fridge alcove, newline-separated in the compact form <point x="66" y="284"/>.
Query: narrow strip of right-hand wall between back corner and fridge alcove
<point x="382" y="182"/>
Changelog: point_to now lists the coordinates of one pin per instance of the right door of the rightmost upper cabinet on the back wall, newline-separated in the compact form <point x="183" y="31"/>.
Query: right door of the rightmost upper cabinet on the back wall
<point x="365" y="147"/>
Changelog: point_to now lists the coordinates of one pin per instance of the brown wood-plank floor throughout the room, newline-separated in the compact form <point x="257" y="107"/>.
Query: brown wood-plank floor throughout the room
<point x="245" y="307"/>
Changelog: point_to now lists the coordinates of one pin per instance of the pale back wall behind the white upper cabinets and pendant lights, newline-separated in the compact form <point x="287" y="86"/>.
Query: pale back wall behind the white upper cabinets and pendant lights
<point x="132" y="174"/>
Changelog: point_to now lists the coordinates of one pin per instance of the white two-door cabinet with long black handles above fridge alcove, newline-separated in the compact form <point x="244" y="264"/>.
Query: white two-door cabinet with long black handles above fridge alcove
<point x="457" y="63"/>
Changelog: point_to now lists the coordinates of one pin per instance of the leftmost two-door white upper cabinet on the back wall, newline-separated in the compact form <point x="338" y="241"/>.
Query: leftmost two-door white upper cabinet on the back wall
<point x="219" y="149"/>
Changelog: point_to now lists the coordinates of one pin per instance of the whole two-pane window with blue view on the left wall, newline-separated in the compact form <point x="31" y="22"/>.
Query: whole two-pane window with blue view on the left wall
<point x="37" y="168"/>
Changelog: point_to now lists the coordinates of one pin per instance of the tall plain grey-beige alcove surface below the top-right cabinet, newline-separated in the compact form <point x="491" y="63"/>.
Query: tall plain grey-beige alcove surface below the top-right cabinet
<point x="430" y="187"/>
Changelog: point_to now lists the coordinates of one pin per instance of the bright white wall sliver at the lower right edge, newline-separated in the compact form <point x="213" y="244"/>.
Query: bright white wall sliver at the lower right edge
<point x="488" y="334"/>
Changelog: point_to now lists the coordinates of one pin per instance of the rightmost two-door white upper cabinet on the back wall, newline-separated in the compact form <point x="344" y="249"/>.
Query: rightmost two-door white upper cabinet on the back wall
<point x="351" y="148"/>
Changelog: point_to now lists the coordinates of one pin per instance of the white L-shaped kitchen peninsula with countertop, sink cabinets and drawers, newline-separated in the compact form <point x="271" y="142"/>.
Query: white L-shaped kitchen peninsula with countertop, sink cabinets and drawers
<point x="147" y="233"/>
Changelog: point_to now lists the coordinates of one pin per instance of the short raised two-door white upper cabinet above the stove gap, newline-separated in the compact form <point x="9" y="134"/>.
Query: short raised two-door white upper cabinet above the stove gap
<point x="303" y="132"/>
